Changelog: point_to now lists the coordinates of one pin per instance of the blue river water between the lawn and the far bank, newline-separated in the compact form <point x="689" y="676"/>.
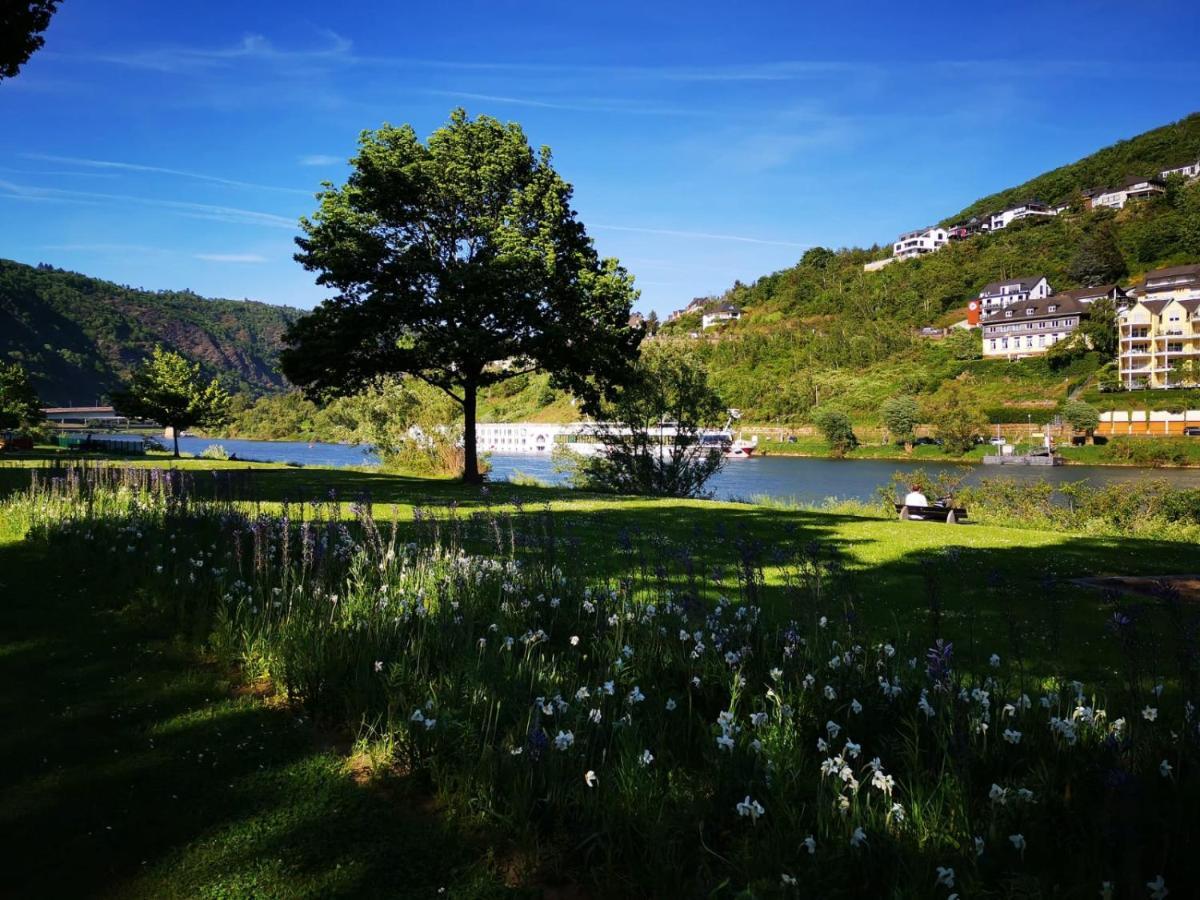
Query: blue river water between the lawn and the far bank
<point x="782" y="478"/>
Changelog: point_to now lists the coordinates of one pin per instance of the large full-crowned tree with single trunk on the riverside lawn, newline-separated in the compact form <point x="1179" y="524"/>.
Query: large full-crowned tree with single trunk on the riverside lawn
<point x="459" y="262"/>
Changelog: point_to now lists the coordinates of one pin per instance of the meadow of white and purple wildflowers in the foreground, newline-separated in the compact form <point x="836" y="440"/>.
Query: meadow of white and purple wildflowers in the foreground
<point x="671" y="729"/>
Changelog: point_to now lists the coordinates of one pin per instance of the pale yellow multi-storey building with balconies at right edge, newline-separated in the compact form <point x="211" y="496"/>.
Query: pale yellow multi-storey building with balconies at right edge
<point x="1160" y="343"/>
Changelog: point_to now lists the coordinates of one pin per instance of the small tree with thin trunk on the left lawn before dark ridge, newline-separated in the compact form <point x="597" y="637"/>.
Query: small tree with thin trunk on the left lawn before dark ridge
<point x="169" y="389"/>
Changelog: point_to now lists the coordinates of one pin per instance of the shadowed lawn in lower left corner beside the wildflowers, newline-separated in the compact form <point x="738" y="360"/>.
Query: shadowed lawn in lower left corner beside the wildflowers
<point x="128" y="769"/>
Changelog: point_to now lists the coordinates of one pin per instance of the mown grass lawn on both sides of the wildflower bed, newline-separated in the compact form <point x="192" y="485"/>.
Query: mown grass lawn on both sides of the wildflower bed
<point x="143" y="770"/>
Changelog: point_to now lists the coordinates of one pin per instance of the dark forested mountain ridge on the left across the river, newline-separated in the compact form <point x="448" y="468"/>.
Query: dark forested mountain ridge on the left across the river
<point x="80" y="337"/>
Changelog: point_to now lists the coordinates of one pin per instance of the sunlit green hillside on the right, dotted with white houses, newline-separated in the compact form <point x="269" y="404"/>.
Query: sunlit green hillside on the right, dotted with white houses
<point x="827" y="333"/>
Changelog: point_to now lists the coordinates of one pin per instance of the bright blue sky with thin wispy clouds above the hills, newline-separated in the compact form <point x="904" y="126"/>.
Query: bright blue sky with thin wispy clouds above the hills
<point x="173" y="146"/>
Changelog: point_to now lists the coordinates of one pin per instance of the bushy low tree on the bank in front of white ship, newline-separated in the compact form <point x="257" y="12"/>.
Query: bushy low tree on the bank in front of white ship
<point x="670" y="393"/>
